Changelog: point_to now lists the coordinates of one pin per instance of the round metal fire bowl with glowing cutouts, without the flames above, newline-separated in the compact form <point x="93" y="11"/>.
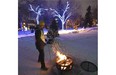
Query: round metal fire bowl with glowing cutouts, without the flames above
<point x="64" y="64"/>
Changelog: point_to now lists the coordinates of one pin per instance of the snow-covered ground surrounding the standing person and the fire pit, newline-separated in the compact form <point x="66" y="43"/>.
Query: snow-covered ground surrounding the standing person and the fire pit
<point x="80" y="45"/>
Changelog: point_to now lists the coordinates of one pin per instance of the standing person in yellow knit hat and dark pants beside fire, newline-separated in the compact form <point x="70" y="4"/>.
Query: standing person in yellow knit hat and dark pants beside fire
<point x="40" y="43"/>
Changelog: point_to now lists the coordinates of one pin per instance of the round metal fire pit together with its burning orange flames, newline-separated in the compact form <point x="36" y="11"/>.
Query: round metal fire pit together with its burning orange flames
<point x="63" y="62"/>
